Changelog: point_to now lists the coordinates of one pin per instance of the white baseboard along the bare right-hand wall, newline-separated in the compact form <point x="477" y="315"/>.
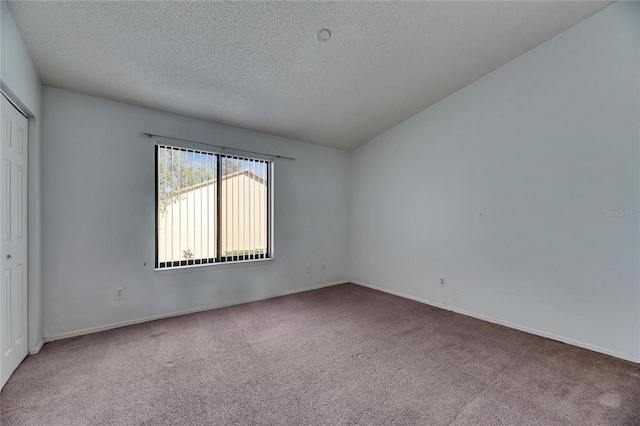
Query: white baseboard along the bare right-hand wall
<point x="564" y="339"/>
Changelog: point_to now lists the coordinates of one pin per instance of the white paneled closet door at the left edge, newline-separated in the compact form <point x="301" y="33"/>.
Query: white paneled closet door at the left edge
<point x="13" y="233"/>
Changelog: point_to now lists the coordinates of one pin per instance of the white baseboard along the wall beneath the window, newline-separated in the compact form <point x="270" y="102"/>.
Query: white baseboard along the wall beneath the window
<point x="175" y="314"/>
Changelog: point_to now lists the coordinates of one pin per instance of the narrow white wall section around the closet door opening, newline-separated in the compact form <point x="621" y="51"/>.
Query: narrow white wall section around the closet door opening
<point x="20" y="82"/>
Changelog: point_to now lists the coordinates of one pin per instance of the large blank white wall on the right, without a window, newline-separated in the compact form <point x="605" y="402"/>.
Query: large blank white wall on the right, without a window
<point x="504" y="186"/>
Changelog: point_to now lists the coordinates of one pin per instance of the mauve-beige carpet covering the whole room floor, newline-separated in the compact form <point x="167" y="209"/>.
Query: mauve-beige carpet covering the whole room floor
<point x="343" y="355"/>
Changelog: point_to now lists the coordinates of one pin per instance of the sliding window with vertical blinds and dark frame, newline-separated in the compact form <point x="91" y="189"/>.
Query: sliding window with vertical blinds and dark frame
<point x="211" y="208"/>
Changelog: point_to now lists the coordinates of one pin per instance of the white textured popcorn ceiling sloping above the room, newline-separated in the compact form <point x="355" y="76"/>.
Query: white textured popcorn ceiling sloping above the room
<point x="259" y="65"/>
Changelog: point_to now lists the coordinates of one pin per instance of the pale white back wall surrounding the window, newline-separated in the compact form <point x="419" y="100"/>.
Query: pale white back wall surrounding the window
<point x="99" y="216"/>
